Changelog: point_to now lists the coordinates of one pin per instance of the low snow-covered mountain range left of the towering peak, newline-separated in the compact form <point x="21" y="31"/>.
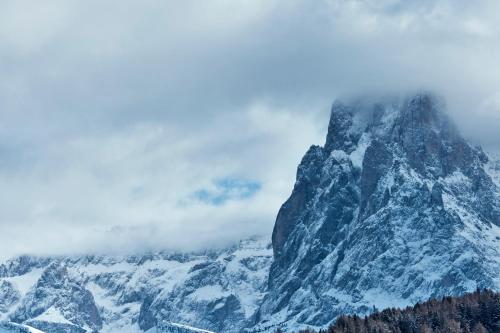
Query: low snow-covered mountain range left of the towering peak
<point x="159" y="293"/>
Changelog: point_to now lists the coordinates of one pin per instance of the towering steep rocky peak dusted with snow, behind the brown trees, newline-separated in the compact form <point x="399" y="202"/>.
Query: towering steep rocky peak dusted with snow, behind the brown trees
<point x="395" y="208"/>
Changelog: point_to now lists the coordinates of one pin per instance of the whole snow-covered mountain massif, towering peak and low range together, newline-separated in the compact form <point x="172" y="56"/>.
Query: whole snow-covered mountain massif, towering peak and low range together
<point x="395" y="208"/>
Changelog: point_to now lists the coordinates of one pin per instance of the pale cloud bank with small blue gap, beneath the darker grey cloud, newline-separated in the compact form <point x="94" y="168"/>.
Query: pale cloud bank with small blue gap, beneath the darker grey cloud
<point x="153" y="186"/>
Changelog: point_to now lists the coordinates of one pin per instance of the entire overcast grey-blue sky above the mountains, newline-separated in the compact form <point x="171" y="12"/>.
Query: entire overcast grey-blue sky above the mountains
<point x="131" y="126"/>
